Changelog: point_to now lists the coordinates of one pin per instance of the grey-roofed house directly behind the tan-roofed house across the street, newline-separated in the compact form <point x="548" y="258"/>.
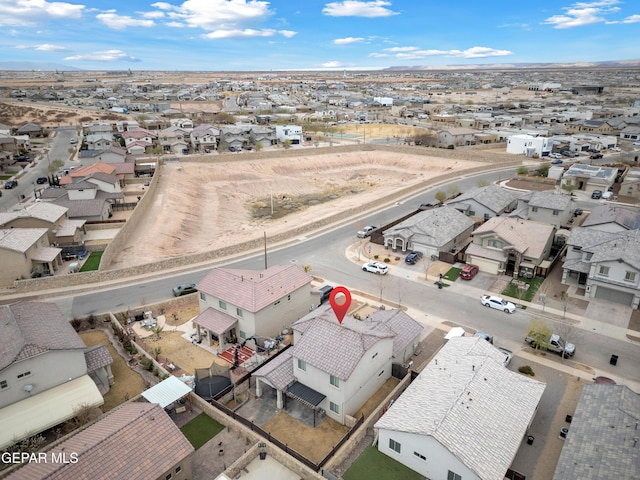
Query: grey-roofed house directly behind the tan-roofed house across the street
<point x="547" y="207"/>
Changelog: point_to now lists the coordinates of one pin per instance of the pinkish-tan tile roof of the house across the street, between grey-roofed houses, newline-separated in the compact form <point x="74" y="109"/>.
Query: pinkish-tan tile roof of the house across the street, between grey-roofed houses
<point x="526" y="236"/>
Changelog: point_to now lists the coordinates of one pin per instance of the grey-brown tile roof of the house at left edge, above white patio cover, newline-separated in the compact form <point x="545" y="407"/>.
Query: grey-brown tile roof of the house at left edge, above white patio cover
<point x="31" y="328"/>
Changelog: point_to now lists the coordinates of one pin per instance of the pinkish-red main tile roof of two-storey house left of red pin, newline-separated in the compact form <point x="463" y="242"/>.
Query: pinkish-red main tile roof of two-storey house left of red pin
<point x="252" y="290"/>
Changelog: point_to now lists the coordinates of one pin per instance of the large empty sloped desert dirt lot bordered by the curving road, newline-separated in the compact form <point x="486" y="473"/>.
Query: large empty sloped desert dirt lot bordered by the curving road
<point x="200" y="207"/>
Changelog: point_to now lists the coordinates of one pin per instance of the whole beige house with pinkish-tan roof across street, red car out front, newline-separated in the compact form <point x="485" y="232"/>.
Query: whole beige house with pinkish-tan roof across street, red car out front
<point x="512" y="246"/>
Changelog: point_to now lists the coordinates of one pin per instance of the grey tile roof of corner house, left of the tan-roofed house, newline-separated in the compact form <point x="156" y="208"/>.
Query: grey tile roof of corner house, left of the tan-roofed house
<point x="434" y="227"/>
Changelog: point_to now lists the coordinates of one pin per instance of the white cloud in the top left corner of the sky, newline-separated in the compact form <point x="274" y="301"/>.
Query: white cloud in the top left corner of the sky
<point x="27" y="13"/>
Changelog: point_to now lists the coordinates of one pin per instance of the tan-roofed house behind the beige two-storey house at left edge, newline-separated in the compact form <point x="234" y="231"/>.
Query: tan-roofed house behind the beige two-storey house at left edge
<point x="60" y="229"/>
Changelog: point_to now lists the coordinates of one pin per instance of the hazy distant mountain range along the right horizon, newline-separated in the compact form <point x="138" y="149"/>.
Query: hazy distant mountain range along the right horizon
<point x="525" y="66"/>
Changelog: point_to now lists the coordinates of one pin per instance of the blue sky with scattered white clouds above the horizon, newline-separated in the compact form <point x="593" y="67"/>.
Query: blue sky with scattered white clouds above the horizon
<point x="311" y="35"/>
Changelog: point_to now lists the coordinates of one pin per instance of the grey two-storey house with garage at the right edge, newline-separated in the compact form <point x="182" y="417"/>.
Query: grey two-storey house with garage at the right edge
<point x="606" y="263"/>
